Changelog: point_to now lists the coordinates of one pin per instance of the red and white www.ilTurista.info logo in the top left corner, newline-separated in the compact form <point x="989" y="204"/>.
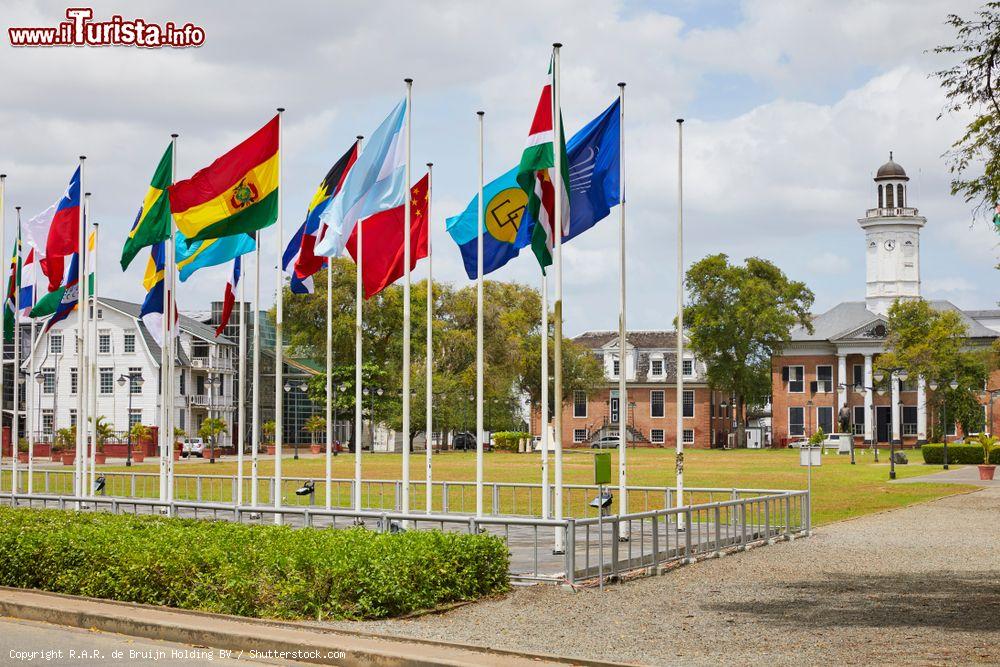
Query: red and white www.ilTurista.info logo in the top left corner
<point x="79" y="30"/>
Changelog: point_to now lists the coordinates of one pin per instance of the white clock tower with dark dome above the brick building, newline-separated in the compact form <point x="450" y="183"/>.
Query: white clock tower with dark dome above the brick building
<point x="892" y="239"/>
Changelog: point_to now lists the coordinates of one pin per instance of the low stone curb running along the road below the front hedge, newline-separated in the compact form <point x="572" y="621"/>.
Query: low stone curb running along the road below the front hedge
<point x="303" y="643"/>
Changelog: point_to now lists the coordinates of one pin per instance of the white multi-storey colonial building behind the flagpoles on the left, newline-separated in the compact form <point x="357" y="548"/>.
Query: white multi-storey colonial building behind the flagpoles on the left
<point x="127" y="352"/>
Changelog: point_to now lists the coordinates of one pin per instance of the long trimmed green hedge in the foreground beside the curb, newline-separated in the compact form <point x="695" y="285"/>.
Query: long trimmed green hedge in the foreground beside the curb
<point x="257" y="571"/>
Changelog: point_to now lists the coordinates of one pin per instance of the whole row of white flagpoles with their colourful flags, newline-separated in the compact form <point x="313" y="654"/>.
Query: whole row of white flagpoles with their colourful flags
<point x="371" y="185"/>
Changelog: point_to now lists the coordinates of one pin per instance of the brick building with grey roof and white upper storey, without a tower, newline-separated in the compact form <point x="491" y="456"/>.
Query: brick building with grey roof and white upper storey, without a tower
<point x="650" y="417"/>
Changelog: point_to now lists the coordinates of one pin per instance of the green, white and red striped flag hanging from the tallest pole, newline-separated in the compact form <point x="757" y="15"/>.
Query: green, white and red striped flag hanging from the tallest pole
<point x="536" y="175"/>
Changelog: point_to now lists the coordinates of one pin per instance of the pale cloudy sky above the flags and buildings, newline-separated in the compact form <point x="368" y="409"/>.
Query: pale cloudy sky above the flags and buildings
<point x="789" y="108"/>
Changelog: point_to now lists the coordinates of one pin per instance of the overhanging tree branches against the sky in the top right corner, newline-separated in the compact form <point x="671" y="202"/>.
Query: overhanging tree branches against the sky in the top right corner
<point x="971" y="85"/>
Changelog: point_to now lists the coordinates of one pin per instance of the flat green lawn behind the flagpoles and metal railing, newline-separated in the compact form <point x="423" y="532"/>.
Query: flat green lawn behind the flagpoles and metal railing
<point x="840" y="490"/>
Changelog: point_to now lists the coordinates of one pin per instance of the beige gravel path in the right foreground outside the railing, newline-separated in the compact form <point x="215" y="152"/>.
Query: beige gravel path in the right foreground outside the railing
<point x="920" y="585"/>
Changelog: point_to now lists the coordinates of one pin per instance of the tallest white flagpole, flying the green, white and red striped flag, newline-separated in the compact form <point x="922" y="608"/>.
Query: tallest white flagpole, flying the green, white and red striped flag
<point x="558" y="231"/>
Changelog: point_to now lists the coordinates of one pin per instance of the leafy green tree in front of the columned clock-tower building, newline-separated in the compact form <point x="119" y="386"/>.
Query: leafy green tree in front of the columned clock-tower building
<point x="934" y="344"/>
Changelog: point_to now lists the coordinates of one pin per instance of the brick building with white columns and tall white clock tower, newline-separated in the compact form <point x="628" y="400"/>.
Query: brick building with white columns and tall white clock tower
<point x="825" y="379"/>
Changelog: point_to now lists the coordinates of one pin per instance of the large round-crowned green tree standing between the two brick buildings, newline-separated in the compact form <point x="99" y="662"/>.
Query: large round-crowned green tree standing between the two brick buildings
<point x="738" y="318"/>
